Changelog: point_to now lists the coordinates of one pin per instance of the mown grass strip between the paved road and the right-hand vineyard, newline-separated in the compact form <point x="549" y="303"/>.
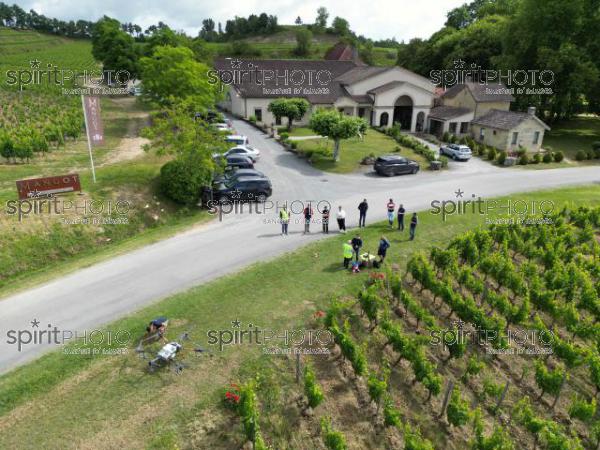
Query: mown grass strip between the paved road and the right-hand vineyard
<point x="69" y="401"/>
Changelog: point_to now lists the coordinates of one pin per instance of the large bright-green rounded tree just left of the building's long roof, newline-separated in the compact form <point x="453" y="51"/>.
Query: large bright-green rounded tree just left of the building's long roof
<point x="172" y="74"/>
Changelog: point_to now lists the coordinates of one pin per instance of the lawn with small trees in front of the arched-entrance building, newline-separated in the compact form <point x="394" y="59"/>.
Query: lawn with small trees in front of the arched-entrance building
<point x="352" y="151"/>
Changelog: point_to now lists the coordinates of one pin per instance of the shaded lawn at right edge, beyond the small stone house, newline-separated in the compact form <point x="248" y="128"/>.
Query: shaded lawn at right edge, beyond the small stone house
<point x="574" y="135"/>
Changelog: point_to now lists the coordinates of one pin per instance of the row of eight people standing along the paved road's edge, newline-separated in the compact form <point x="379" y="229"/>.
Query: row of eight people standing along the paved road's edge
<point x="308" y="214"/>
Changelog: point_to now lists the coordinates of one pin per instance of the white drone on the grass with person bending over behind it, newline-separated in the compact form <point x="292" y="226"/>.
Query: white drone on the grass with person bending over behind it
<point x="171" y="353"/>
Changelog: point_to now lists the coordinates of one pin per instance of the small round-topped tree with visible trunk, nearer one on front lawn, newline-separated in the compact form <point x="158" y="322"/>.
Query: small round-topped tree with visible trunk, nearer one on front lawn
<point x="336" y="126"/>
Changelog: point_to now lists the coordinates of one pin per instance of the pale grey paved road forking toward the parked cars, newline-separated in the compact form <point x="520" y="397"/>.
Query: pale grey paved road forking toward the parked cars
<point x="109" y="290"/>
